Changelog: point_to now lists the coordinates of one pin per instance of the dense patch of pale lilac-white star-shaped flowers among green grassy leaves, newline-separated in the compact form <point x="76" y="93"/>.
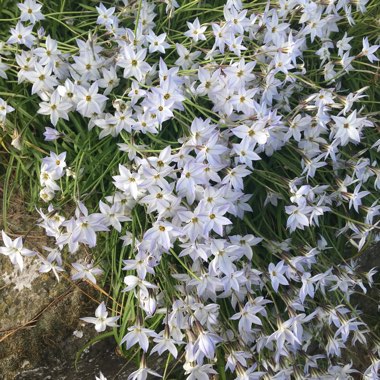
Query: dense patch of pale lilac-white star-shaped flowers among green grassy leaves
<point x="243" y="170"/>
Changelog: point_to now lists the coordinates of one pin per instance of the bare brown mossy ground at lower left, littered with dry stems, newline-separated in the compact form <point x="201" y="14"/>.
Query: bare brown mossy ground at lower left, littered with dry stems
<point x="38" y="317"/>
